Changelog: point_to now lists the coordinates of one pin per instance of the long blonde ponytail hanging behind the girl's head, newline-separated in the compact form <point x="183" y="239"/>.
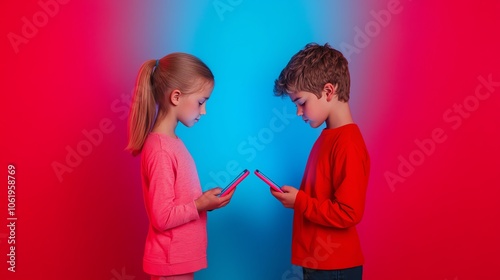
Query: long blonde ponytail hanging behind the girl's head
<point x="142" y="110"/>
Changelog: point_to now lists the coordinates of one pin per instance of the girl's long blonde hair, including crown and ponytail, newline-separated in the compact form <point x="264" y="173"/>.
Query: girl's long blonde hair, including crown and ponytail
<point x="156" y="79"/>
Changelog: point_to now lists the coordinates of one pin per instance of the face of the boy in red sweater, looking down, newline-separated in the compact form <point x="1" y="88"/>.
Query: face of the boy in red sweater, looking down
<point x="312" y="110"/>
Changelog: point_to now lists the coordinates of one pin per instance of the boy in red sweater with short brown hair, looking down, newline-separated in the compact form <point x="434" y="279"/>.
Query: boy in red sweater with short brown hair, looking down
<point x="331" y="198"/>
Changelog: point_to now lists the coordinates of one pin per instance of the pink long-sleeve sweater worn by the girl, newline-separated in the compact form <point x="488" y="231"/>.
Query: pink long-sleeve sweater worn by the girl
<point x="177" y="238"/>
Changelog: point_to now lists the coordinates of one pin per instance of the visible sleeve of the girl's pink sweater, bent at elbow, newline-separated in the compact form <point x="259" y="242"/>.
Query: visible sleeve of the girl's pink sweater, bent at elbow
<point x="164" y="213"/>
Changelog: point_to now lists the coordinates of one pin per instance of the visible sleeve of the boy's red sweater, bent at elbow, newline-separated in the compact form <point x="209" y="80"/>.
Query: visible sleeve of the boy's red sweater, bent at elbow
<point x="346" y="206"/>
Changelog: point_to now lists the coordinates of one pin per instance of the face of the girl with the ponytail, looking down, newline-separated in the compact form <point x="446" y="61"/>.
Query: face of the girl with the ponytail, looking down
<point x="193" y="106"/>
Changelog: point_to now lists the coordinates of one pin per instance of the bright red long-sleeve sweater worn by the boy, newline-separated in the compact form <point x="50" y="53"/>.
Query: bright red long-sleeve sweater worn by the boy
<point x="331" y="201"/>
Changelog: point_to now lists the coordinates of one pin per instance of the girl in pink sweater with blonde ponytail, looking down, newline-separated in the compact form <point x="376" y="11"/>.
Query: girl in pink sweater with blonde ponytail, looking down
<point x="171" y="90"/>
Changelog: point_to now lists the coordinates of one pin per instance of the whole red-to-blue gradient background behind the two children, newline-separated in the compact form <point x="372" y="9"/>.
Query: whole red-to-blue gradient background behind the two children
<point x="80" y="68"/>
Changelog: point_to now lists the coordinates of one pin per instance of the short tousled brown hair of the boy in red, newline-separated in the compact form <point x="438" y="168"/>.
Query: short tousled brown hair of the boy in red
<point x="313" y="67"/>
